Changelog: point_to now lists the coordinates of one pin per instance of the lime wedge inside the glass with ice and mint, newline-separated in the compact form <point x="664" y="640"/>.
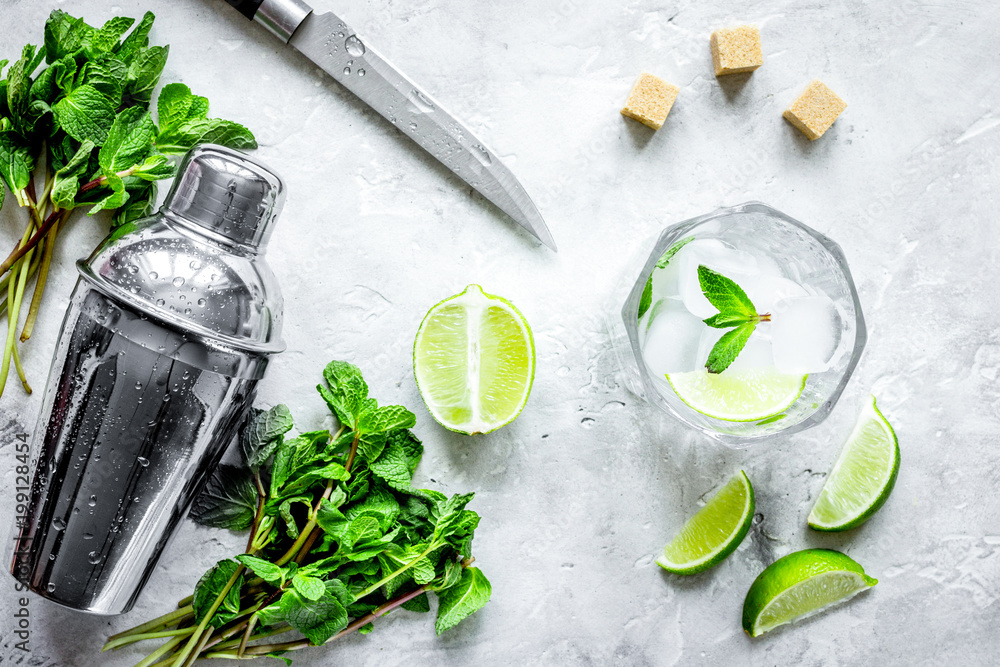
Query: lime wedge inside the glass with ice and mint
<point x="741" y="395"/>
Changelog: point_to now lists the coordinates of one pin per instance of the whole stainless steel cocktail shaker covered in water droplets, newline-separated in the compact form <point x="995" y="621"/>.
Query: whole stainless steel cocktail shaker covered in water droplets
<point x="168" y="332"/>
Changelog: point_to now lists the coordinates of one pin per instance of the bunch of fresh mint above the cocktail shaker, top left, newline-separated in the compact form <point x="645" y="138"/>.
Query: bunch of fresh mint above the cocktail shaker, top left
<point x="79" y="133"/>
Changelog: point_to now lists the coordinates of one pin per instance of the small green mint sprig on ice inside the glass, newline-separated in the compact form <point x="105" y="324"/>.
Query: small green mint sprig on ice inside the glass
<point x="736" y="311"/>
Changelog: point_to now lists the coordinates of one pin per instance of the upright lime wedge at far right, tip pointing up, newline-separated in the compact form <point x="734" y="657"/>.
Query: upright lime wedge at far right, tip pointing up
<point x="862" y="477"/>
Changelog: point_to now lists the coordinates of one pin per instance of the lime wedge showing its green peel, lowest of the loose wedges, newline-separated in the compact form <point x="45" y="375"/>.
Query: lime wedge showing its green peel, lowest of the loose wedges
<point x="799" y="585"/>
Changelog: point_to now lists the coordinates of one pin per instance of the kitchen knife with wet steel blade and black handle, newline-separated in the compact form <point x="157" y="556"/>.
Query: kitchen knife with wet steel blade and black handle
<point x="335" y="48"/>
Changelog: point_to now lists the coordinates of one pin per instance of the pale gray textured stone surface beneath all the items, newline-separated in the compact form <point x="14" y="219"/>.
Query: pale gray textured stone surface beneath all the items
<point x="580" y="493"/>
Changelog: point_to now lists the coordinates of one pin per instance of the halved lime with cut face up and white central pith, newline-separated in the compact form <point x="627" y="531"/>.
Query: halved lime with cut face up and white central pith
<point x="474" y="361"/>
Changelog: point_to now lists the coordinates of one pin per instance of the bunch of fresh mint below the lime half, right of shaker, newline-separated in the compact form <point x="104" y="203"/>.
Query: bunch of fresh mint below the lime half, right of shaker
<point x="338" y="537"/>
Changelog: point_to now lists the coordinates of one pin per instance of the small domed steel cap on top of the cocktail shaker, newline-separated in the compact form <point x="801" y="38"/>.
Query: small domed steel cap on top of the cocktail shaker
<point x="227" y="193"/>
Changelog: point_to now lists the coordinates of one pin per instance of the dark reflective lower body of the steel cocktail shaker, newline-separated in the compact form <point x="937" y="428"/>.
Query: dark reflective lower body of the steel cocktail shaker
<point x="135" y="417"/>
